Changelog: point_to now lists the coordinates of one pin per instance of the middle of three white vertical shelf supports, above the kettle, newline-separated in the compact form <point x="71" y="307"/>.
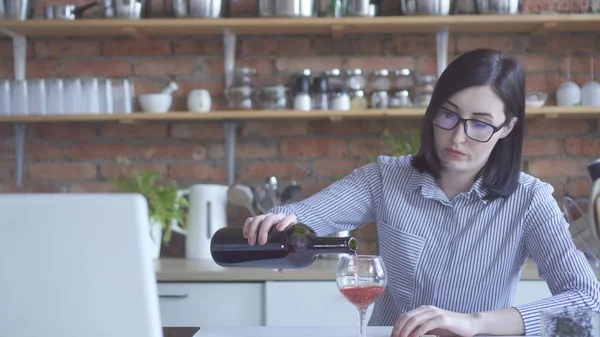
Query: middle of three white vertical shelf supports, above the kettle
<point x="229" y="46"/>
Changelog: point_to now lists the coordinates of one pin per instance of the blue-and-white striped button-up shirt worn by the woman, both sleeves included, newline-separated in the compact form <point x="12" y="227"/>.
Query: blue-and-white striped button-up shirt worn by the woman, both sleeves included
<point x="464" y="255"/>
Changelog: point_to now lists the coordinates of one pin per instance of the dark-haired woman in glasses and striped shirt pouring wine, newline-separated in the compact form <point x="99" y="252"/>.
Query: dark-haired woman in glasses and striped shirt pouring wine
<point x="458" y="220"/>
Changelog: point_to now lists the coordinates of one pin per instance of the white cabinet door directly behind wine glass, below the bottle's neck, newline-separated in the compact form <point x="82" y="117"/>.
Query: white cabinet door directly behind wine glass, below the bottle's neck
<point x="308" y="303"/>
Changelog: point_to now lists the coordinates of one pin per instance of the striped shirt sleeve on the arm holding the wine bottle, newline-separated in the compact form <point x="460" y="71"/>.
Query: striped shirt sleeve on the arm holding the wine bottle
<point x="346" y="204"/>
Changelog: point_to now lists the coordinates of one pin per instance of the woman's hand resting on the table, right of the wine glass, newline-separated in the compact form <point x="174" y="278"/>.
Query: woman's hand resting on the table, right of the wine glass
<point x="435" y="321"/>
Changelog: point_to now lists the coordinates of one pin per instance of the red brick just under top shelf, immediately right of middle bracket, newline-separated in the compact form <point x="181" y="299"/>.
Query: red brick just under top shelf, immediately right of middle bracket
<point x="275" y="46"/>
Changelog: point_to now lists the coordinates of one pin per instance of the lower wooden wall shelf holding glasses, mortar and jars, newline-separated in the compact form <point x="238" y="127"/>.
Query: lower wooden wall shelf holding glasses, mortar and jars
<point x="334" y="115"/>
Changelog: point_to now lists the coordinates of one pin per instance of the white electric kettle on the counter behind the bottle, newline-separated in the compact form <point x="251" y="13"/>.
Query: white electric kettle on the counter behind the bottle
<point x="207" y="214"/>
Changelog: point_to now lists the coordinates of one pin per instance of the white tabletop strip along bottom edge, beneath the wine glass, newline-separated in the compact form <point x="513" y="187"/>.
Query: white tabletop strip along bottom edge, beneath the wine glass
<point x="276" y="331"/>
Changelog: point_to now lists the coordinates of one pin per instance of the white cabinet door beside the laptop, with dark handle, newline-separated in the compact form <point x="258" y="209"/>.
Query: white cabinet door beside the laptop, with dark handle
<point x="211" y="304"/>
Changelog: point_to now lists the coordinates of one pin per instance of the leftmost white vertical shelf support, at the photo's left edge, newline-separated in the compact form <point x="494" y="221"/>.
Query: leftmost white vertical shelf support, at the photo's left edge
<point x="19" y="63"/>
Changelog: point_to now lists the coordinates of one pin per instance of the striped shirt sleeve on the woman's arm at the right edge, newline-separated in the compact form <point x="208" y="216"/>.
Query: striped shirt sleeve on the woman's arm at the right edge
<point x="567" y="272"/>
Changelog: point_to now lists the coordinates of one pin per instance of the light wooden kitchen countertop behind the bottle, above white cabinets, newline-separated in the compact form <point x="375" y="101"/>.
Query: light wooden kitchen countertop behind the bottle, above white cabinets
<point x="192" y="270"/>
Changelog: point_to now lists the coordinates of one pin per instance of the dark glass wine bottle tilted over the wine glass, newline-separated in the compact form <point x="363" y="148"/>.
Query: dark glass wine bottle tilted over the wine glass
<point x="296" y="247"/>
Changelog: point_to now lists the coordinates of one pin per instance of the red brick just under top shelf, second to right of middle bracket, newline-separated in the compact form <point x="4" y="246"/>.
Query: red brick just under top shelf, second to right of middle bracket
<point x="329" y="46"/>
